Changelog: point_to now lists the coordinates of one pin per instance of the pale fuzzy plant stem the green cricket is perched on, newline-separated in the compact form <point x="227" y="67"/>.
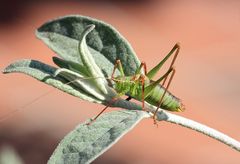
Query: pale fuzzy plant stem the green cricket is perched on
<point x="185" y="122"/>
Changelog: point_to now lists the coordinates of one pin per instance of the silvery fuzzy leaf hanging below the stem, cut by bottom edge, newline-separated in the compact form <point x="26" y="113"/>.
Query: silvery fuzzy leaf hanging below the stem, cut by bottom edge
<point x="86" y="142"/>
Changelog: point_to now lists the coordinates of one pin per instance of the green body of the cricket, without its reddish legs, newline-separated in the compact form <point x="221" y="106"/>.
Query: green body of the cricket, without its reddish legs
<point x="126" y="85"/>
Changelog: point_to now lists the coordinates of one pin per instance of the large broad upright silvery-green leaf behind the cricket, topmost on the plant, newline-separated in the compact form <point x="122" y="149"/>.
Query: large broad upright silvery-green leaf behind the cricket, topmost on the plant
<point x="105" y="43"/>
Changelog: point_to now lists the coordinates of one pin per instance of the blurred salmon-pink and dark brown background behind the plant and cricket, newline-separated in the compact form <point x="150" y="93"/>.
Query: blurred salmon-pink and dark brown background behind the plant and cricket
<point x="207" y="79"/>
